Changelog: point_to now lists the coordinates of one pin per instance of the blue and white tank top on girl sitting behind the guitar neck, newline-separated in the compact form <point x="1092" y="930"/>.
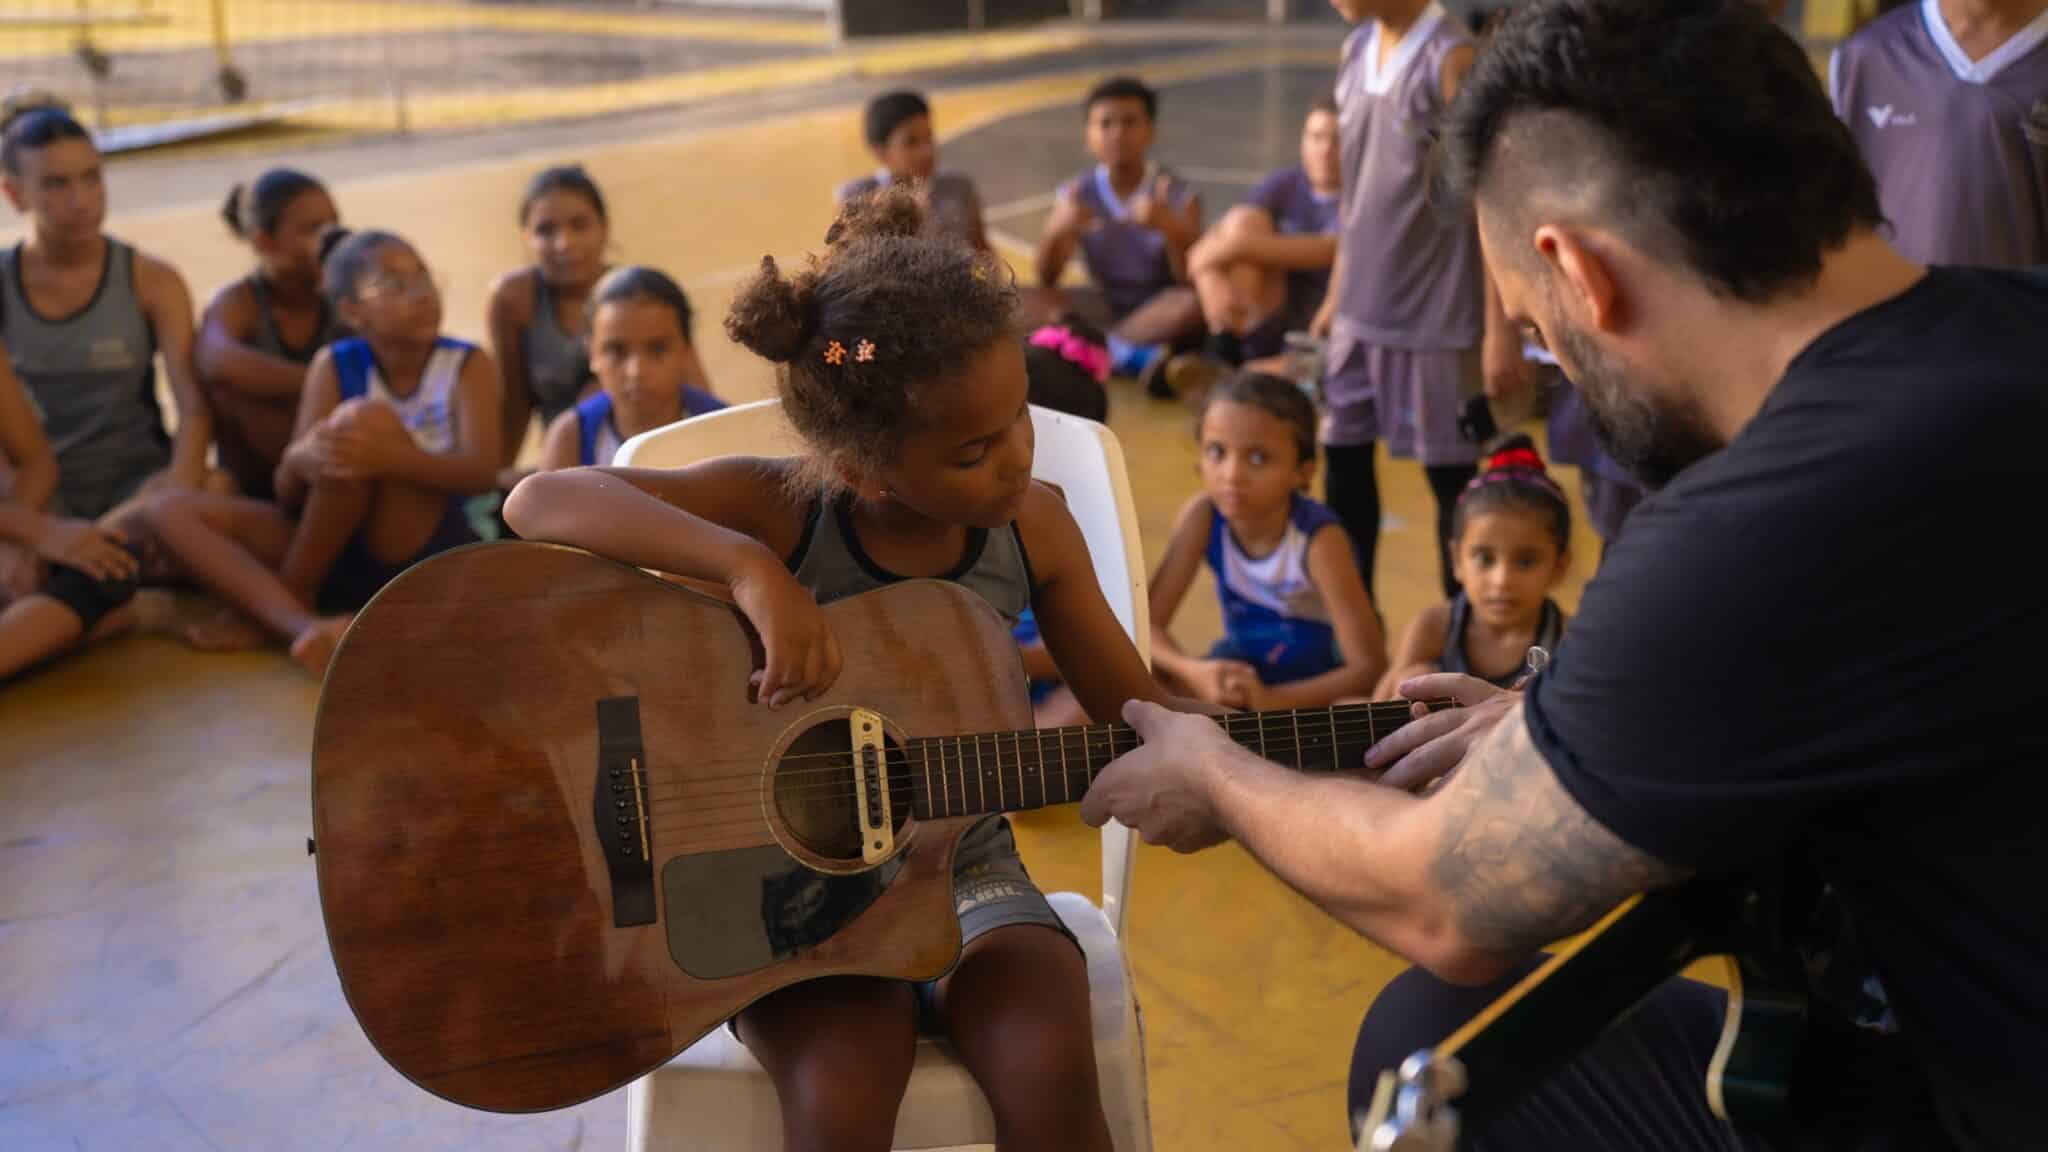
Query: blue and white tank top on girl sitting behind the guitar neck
<point x="1273" y="616"/>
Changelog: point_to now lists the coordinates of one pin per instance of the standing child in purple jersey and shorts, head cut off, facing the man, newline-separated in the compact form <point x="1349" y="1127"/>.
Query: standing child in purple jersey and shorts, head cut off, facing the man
<point x="1410" y="317"/>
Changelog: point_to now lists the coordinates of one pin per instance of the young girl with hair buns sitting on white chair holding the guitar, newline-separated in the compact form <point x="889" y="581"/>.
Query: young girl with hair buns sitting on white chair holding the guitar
<point x="904" y="376"/>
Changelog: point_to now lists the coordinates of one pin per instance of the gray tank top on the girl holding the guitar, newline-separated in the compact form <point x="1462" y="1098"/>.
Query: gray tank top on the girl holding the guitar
<point x="833" y="565"/>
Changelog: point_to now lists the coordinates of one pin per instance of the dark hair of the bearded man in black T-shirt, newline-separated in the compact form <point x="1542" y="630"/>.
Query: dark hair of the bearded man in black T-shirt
<point x="1695" y="128"/>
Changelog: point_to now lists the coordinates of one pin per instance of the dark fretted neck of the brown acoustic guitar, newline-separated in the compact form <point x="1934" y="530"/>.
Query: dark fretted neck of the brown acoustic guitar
<point x="1017" y="772"/>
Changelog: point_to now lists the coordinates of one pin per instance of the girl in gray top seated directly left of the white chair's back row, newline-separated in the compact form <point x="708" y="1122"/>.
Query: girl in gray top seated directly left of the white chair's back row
<point x="538" y="313"/>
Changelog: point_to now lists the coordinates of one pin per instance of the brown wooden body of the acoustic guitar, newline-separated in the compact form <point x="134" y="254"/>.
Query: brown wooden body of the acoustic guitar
<point x="558" y="844"/>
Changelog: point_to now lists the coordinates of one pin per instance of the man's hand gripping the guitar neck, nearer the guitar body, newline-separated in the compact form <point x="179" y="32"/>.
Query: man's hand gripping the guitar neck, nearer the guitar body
<point x="1168" y="786"/>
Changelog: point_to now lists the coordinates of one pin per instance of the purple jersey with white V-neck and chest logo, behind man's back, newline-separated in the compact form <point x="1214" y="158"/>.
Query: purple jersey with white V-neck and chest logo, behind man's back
<point x="1949" y="101"/>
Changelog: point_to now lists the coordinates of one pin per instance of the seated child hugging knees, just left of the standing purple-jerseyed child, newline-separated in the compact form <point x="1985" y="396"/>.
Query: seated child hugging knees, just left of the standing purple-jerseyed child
<point x="1265" y="268"/>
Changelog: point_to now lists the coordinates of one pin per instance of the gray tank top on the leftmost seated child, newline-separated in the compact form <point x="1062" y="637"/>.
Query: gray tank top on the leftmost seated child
<point x="91" y="378"/>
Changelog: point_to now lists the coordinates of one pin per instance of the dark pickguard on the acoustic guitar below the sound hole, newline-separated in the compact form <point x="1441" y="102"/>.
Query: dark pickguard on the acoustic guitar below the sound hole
<point x="746" y="909"/>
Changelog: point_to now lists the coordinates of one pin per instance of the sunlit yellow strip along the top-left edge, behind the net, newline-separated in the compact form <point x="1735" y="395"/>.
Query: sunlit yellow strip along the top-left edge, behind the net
<point x="189" y="24"/>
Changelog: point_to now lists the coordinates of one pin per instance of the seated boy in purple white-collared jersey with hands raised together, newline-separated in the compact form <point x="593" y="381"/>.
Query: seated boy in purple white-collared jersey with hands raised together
<point x="1134" y="222"/>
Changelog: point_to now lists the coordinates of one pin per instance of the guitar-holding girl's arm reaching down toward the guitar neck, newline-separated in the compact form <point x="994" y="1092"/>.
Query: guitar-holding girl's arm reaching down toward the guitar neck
<point x="1091" y="649"/>
